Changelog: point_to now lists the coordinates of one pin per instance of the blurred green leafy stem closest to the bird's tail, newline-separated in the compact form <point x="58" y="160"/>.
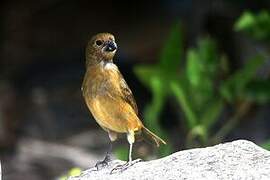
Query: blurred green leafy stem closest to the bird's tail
<point x="157" y="78"/>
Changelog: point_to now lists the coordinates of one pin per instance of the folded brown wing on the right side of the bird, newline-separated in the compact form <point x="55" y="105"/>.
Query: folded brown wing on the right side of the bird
<point x="127" y="95"/>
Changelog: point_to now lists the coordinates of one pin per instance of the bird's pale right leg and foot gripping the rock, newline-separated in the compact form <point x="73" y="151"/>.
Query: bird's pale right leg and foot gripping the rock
<point x="122" y="167"/>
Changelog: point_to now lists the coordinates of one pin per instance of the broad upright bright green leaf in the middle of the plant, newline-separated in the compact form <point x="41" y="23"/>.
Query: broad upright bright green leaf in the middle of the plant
<point x="203" y="68"/>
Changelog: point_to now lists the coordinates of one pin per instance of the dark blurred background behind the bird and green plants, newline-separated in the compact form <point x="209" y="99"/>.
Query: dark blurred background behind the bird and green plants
<point x="45" y="127"/>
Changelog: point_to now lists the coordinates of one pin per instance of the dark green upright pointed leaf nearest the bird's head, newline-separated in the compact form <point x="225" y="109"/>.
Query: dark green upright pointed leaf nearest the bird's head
<point x="172" y="51"/>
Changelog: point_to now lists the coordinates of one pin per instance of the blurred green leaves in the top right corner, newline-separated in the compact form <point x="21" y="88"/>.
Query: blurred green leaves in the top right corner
<point x="255" y="25"/>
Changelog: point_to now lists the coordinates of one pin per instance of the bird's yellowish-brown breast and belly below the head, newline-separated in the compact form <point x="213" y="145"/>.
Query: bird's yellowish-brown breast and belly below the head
<point x="103" y="95"/>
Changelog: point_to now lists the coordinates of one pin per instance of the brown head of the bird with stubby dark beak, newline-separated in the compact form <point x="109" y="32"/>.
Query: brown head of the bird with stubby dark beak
<point x="101" y="47"/>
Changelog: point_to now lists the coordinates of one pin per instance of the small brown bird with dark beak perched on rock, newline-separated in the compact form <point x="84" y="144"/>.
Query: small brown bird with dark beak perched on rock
<point x="107" y="94"/>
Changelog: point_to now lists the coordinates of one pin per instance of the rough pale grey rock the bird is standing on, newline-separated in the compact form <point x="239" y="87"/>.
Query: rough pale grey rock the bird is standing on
<point x="239" y="159"/>
